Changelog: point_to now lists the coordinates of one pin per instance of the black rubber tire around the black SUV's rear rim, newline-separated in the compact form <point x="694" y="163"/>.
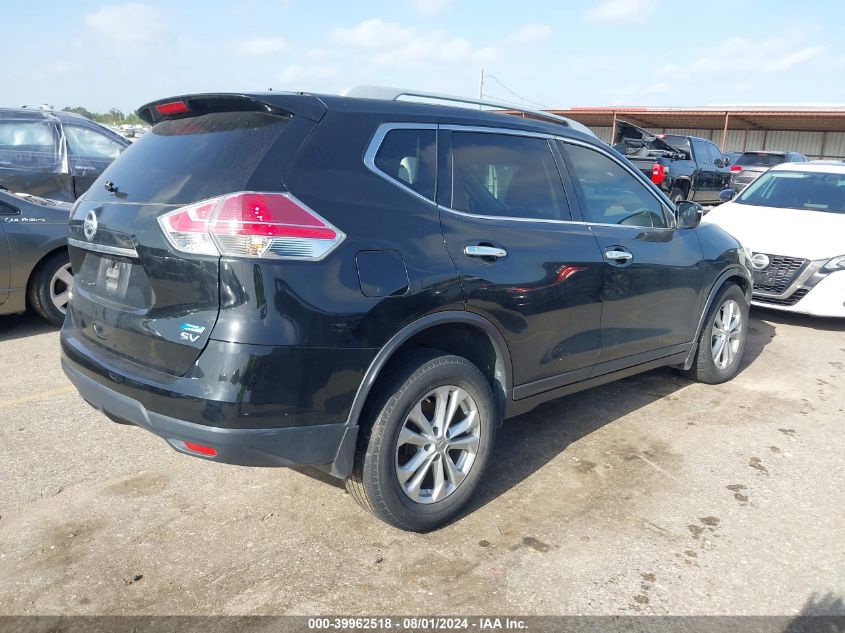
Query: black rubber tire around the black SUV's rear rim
<point x="374" y="483"/>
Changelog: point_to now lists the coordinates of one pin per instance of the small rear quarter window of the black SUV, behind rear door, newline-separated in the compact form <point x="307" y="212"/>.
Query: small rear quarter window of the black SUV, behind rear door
<point x="409" y="156"/>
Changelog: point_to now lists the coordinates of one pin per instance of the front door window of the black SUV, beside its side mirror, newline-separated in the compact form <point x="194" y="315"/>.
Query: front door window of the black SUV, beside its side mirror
<point x="610" y="193"/>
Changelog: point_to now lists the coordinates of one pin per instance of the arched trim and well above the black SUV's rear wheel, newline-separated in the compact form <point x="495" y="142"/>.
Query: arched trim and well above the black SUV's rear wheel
<point x="466" y="334"/>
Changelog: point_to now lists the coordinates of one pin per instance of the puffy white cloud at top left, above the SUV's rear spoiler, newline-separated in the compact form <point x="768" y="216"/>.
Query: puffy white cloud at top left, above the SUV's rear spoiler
<point x="126" y="25"/>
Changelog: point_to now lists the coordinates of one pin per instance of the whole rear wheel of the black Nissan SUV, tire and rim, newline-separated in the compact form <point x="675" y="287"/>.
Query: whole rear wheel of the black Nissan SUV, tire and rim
<point x="432" y="432"/>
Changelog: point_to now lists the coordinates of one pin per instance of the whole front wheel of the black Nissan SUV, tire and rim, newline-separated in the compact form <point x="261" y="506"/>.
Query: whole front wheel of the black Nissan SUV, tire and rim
<point x="723" y="338"/>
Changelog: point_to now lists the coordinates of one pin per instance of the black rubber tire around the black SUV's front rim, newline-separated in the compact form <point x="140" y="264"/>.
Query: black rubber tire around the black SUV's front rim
<point x="704" y="368"/>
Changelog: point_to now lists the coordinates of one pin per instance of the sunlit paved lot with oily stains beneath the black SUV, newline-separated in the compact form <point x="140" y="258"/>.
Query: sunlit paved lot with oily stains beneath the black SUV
<point x="651" y="495"/>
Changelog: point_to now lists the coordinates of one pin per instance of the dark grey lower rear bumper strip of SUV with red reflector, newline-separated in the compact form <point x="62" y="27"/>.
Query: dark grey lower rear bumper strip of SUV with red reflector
<point x="329" y="445"/>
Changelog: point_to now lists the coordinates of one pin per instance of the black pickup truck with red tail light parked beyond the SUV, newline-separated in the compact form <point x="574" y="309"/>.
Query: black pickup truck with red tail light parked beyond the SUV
<point x="685" y="167"/>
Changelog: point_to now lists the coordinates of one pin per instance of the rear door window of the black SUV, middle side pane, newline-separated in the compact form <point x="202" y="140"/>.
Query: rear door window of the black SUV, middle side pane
<point x="506" y="175"/>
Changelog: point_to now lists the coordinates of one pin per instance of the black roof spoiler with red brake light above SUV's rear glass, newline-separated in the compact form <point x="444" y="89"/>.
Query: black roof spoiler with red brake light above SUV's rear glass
<point x="281" y="104"/>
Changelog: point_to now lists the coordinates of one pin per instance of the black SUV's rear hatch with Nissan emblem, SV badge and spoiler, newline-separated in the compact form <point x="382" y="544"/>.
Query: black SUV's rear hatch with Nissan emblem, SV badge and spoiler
<point x="135" y="296"/>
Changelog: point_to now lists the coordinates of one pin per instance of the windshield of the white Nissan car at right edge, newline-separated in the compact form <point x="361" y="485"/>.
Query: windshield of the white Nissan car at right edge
<point x="813" y="191"/>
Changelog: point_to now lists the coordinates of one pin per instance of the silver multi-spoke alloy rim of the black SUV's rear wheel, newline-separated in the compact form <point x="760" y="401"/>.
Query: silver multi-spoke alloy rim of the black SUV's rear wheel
<point x="438" y="444"/>
